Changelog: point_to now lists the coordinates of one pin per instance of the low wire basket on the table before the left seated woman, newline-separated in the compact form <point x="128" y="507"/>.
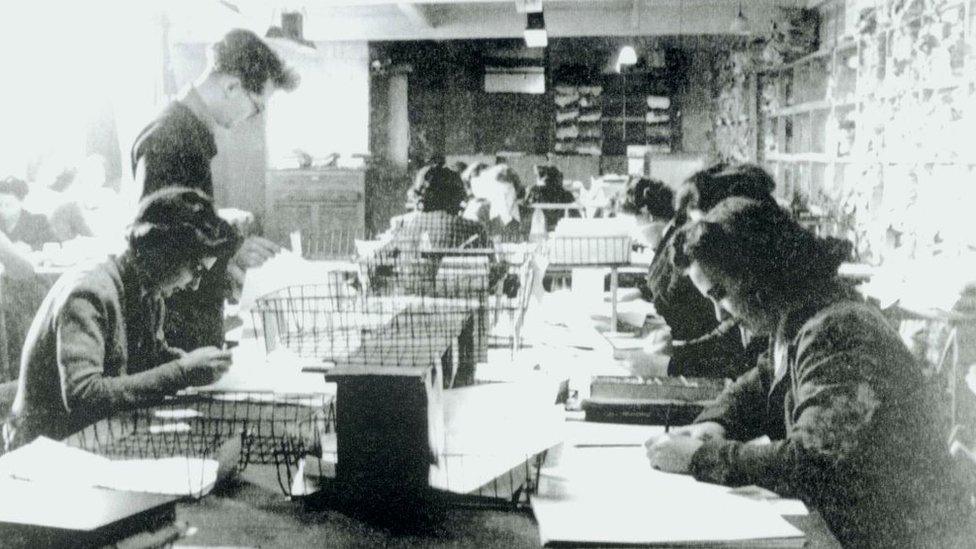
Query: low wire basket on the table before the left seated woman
<point x="233" y="428"/>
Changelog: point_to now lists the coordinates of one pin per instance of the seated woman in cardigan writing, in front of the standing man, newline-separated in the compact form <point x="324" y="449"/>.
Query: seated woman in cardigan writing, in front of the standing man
<point x="95" y="346"/>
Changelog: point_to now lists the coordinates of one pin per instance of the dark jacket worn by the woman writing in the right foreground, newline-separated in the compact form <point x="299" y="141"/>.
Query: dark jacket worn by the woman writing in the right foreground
<point x="856" y="431"/>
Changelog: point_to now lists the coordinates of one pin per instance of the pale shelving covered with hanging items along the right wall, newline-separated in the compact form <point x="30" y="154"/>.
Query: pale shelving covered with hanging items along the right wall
<point x="875" y="118"/>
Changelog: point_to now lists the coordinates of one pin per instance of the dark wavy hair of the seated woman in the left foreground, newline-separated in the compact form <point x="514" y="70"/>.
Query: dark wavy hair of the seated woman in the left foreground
<point x="176" y="226"/>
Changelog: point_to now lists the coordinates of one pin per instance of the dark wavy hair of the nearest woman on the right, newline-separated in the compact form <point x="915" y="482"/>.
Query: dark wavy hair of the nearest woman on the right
<point x="759" y="245"/>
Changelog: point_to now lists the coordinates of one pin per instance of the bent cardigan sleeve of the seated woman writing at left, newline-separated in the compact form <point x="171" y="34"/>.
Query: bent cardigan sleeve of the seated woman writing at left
<point x="81" y="355"/>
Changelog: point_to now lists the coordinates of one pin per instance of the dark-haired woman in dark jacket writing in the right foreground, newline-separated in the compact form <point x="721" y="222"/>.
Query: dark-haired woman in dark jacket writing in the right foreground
<point x="856" y="431"/>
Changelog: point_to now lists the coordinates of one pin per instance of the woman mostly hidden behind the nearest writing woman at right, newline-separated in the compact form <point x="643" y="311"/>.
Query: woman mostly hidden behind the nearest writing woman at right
<point x="698" y="343"/>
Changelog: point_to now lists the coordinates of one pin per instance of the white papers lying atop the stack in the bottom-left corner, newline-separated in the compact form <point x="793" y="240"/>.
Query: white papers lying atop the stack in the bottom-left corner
<point x="46" y="460"/>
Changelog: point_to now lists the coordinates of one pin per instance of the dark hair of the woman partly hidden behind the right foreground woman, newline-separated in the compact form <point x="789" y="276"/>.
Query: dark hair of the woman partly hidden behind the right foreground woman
<point x="706" y="188"/>
